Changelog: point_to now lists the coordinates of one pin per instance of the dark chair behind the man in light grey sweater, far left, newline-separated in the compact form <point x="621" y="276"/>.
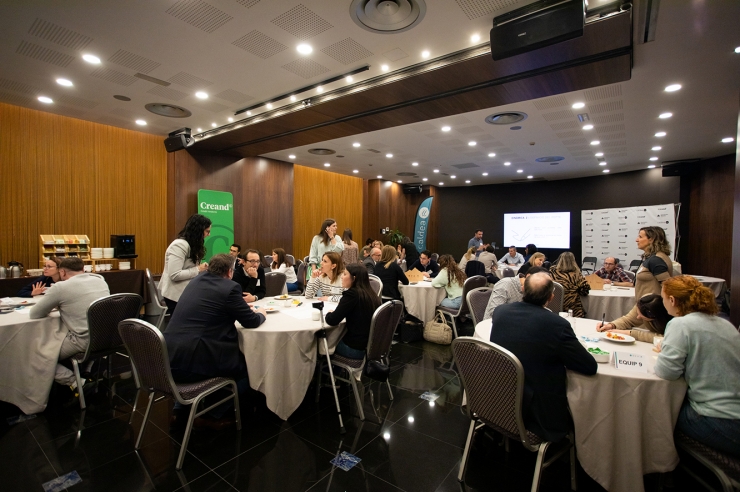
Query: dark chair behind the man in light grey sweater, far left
<point x="103" y="317"/>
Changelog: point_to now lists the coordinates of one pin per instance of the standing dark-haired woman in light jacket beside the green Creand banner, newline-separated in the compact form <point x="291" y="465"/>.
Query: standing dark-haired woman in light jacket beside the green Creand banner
<point x="182" y="260"/>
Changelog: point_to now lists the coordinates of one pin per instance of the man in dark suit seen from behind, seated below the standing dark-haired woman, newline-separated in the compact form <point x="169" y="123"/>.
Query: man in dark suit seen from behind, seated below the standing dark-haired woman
<point x="201" y="337"/>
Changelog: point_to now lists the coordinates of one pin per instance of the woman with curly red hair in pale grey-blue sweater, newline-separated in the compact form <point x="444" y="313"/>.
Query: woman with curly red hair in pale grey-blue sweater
<point x="705" y="350"/>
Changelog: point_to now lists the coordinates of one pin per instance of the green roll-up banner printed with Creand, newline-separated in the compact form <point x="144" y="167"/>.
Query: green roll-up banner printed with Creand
<point x="219" y="207"/>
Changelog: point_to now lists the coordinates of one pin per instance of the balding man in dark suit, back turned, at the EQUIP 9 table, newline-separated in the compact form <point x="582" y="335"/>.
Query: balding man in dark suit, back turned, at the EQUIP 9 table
<point x="546" y="346"/>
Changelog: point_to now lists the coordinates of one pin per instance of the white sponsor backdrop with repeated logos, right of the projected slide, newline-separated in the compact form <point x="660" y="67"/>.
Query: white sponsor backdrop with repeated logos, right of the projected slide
<point x="612" y="231"/>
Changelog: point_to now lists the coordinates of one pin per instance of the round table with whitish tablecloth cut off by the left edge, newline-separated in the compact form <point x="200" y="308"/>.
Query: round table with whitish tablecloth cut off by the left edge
<point x="29" y="349"/>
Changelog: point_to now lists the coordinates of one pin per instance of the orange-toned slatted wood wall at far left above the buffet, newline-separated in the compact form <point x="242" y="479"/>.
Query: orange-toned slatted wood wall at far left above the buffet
<point x="62" y="175"/>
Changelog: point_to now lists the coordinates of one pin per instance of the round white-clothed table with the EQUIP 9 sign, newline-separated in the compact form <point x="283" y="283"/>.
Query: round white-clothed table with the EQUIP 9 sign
<point x="623" y="420"/>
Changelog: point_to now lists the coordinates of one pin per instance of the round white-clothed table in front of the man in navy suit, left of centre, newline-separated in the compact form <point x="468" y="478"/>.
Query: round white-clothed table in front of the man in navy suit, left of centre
<point x="281" y="353"/>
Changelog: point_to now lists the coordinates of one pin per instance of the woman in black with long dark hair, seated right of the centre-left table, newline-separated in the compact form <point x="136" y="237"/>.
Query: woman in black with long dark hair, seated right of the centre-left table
<point x="357" y="306"/>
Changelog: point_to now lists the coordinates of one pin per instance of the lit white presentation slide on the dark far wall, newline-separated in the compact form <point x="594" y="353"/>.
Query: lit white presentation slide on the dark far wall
<point x="545" y="230"/>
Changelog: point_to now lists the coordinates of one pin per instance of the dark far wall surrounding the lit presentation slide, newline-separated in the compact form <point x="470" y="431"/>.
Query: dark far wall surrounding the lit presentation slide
<point x="465" y="209"/>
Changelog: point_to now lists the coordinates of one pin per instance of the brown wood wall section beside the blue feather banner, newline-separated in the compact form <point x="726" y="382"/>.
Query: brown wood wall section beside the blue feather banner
<point x="388" y="206"/>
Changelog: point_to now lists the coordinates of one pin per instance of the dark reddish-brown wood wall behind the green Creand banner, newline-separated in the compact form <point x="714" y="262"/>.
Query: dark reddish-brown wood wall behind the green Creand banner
<point x="262" y="189"/>
